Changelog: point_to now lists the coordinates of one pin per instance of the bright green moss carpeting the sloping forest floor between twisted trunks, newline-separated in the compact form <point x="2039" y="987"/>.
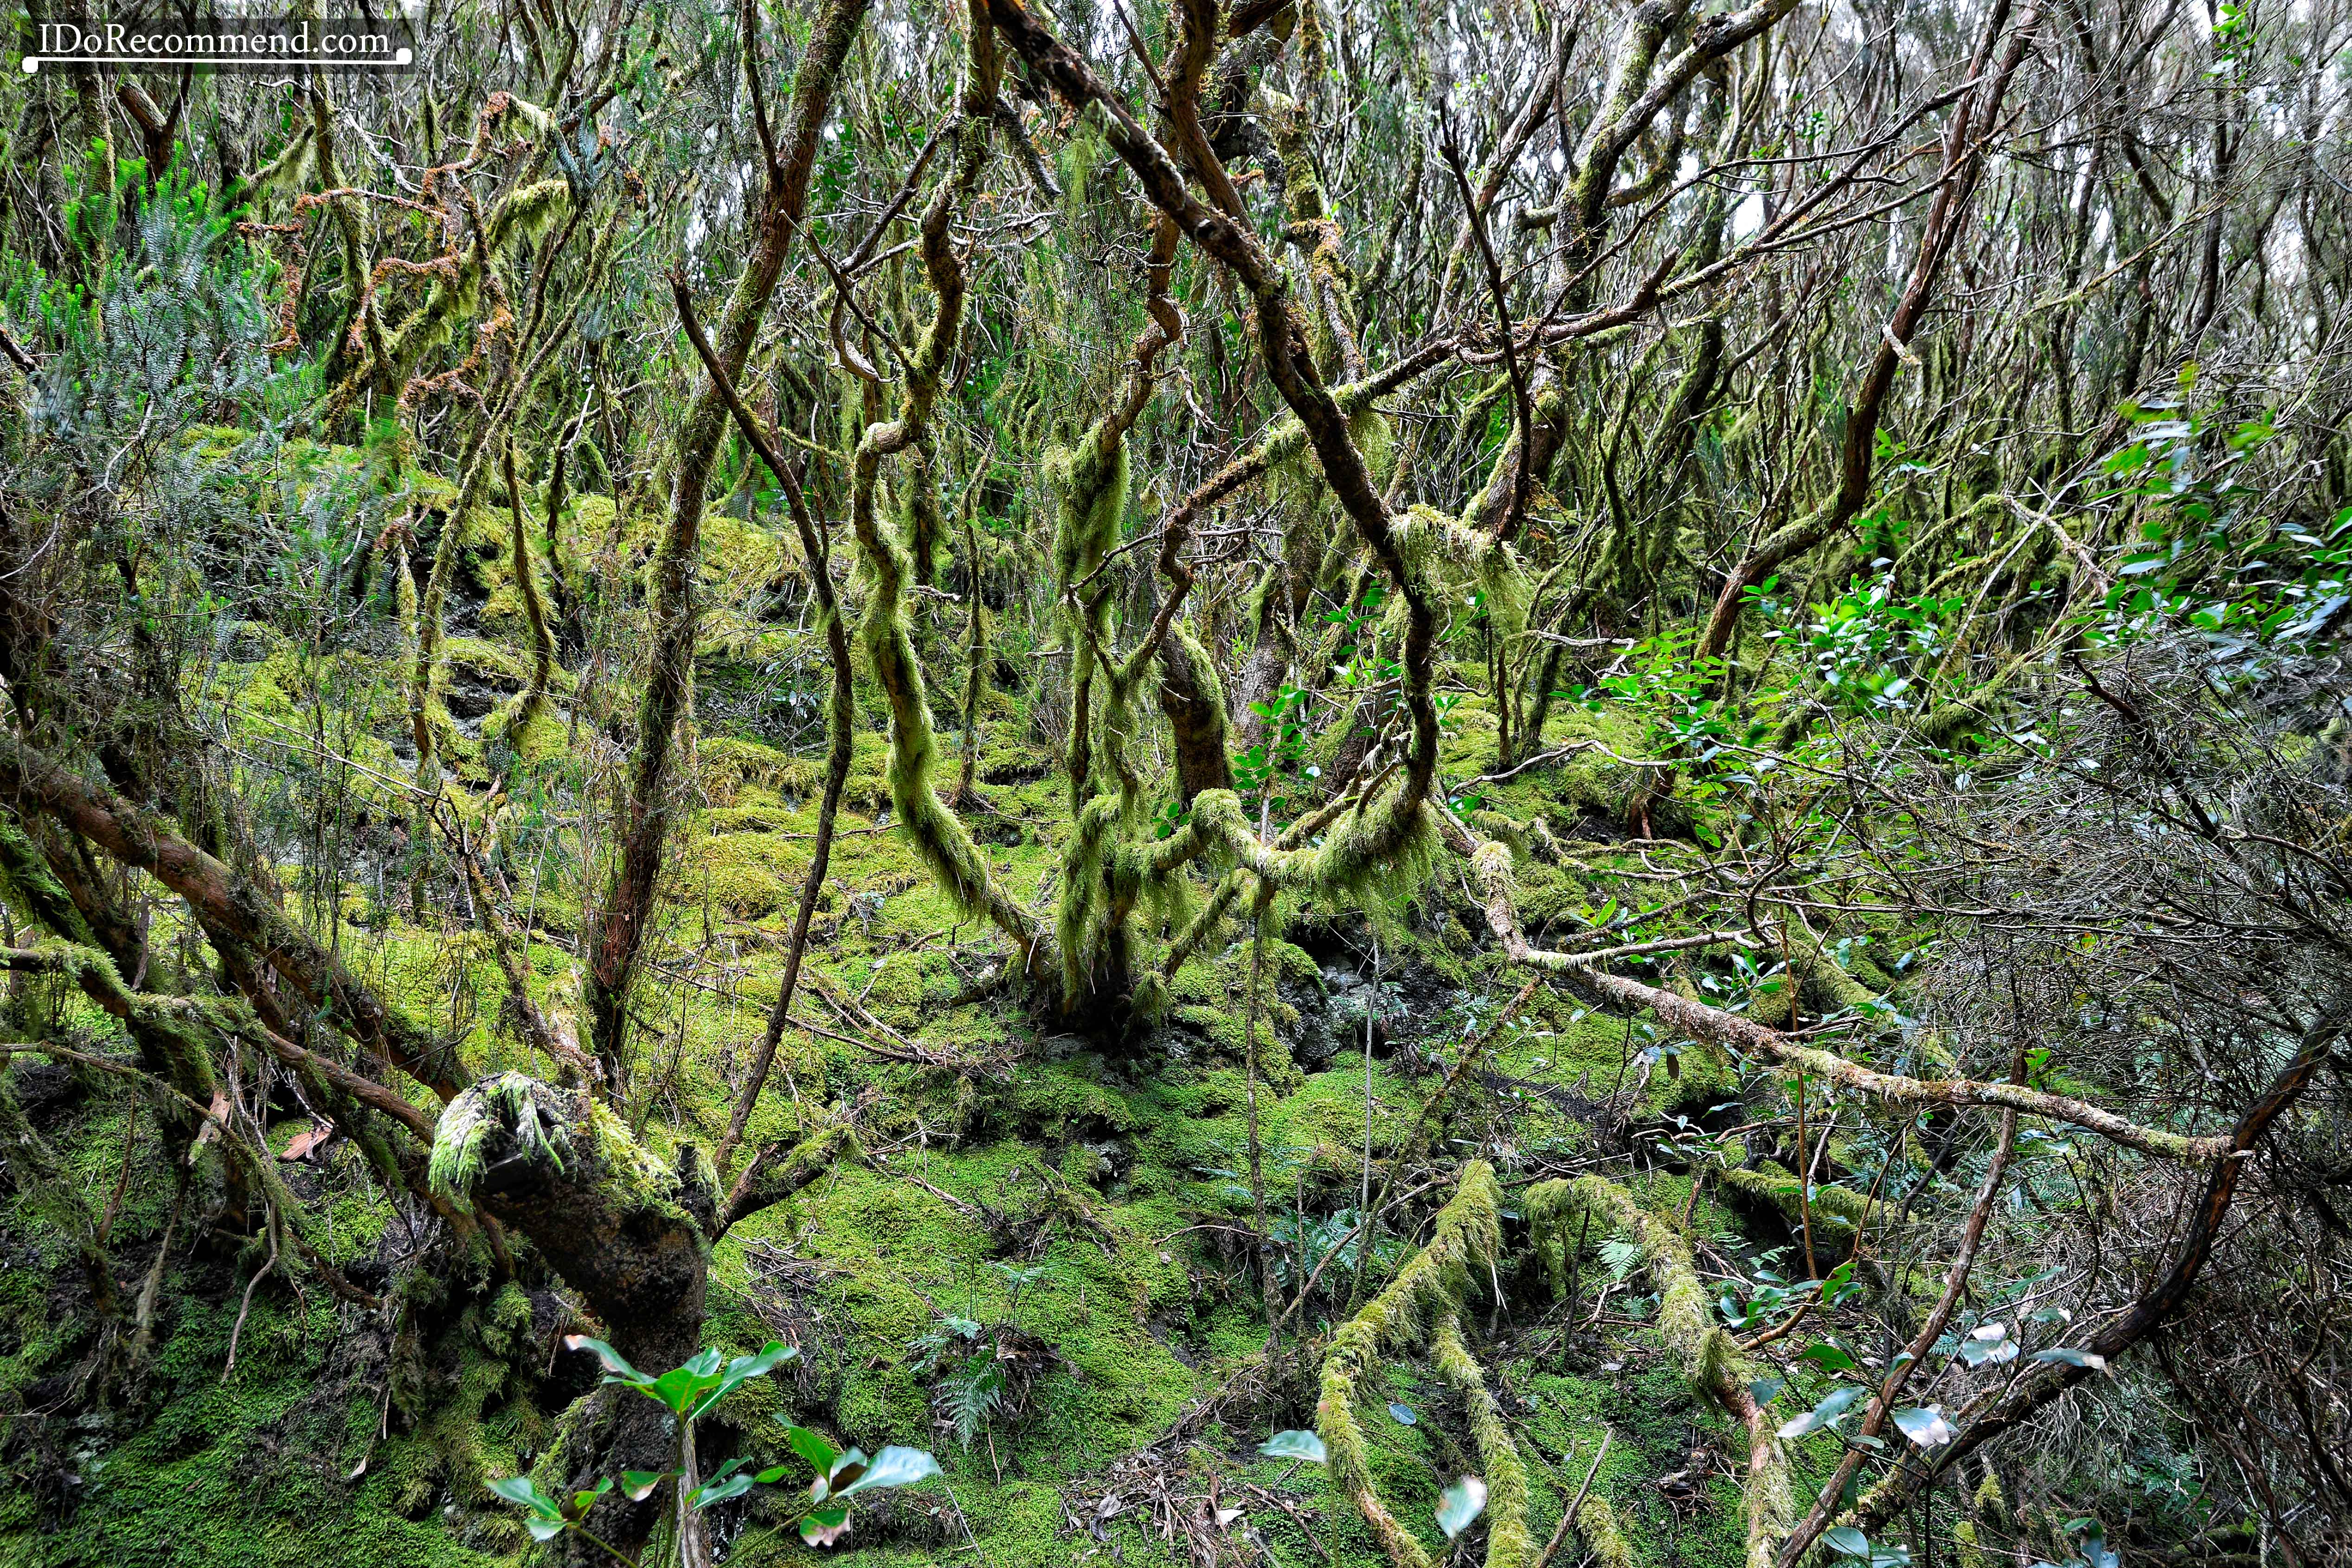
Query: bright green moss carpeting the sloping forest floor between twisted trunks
<point x="1076" y="1200"/>
